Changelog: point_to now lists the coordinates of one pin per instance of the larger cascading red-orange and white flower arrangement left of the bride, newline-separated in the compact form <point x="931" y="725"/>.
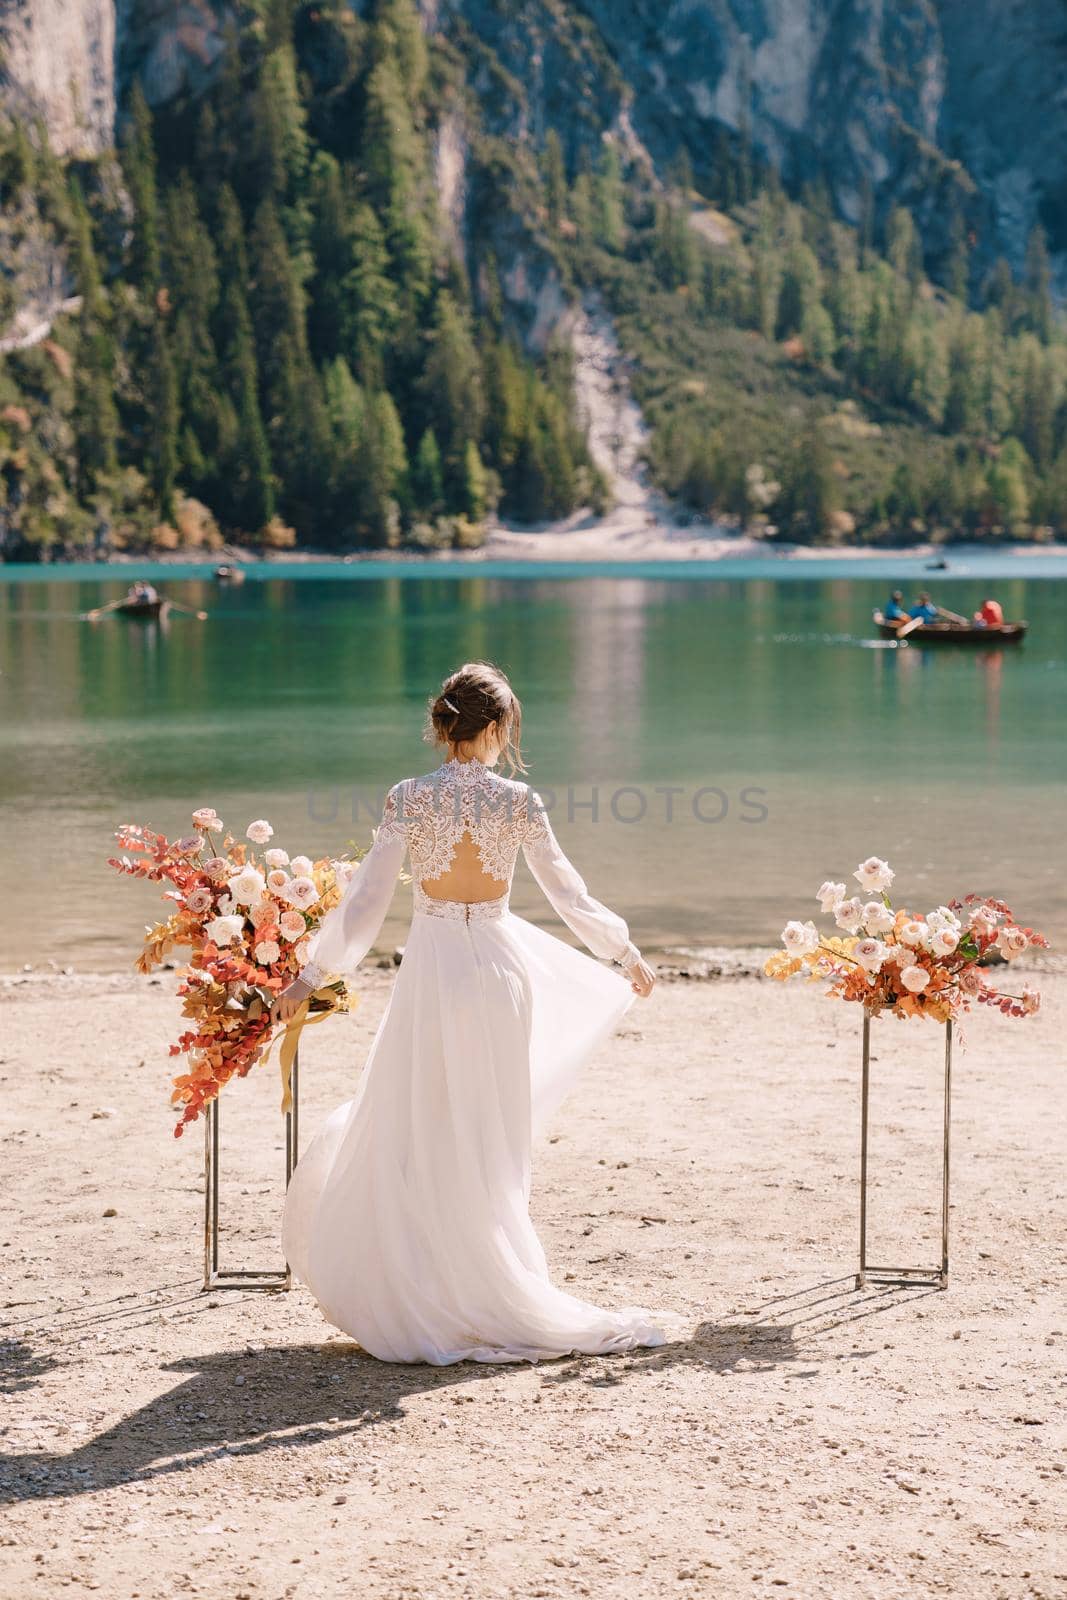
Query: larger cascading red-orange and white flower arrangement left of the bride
<point x="247" y="921"/>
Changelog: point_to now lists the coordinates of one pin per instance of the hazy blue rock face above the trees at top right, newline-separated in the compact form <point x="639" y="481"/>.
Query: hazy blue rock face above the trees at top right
<point x="938" y="105"/>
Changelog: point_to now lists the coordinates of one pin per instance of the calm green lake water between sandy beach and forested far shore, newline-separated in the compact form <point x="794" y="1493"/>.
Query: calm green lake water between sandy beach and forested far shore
<point x="737" y="729"/>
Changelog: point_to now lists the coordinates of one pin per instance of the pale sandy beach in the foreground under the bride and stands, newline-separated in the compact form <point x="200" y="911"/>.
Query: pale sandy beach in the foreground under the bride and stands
<point x="797" y="1438"/>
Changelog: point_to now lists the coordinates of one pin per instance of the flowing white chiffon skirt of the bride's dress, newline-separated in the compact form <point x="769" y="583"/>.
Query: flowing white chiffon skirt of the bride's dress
<point x="409" y="1214"/>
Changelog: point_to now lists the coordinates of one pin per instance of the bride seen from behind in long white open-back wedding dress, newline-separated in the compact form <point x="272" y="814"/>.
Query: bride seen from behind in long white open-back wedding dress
<point x="409" y="1214"/>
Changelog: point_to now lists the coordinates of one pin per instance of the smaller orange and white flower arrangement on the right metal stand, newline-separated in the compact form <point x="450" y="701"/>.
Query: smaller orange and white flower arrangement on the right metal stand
<point x="905" y="962"/>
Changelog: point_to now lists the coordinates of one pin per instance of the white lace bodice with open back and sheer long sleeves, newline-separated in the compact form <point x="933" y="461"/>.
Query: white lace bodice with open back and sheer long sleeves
<point x="428" y="818"/>
